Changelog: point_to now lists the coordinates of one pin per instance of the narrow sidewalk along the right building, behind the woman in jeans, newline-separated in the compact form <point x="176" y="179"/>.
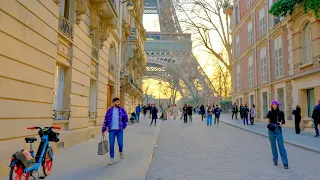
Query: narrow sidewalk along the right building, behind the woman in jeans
<point x="305" y="140"/>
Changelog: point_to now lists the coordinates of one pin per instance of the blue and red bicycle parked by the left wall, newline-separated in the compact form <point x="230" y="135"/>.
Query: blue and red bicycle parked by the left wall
<point x="24" y="163"/>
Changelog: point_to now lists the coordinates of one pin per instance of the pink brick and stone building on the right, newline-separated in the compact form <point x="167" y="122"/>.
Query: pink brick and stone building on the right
<point x="275" y="58"/>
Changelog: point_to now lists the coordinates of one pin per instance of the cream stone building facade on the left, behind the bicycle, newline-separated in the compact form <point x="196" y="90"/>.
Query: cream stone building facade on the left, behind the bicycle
<point x="61" y="64"/>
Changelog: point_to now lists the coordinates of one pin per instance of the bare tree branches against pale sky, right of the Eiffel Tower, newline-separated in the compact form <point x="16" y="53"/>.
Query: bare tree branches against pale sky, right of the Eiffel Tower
<point x="206" y="19"/>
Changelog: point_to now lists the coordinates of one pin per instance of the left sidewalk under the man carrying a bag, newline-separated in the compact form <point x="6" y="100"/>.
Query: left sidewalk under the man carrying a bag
<point x="82" y="162"/>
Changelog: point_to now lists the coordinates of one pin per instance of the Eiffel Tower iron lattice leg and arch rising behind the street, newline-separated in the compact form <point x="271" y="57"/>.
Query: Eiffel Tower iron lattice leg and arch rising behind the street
<point x="170" y="56"/>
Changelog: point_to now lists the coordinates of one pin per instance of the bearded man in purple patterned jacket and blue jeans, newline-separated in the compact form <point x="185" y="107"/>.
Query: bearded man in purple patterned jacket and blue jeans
<point x="115" y="122"/>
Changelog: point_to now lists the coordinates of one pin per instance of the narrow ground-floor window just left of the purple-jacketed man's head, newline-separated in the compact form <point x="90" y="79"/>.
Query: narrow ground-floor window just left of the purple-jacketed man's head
<point x="93" y="99"/>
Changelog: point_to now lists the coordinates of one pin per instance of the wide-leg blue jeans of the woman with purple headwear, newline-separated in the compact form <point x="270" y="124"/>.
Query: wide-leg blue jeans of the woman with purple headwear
<point x="277" y="136"/>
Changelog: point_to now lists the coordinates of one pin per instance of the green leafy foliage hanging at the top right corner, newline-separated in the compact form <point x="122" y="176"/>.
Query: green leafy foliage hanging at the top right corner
<point x="285" y="7"/>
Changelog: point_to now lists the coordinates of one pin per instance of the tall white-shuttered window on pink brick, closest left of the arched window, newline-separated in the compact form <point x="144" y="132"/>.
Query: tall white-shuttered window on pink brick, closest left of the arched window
<point x="278" y="57"/>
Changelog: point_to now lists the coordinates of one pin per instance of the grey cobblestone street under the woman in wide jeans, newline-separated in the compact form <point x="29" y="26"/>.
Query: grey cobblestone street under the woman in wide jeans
<point x="194" y="151"/>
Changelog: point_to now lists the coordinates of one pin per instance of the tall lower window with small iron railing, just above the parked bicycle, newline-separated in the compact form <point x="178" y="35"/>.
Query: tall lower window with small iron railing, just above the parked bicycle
<point x="59" y="91"/>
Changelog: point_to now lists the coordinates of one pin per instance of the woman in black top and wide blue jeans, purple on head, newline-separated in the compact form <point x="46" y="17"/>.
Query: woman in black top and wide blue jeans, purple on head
<point x="276" y="118"/>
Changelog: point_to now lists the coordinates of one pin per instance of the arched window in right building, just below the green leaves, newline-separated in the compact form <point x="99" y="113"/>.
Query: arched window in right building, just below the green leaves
<point x="307" y="44"/>
